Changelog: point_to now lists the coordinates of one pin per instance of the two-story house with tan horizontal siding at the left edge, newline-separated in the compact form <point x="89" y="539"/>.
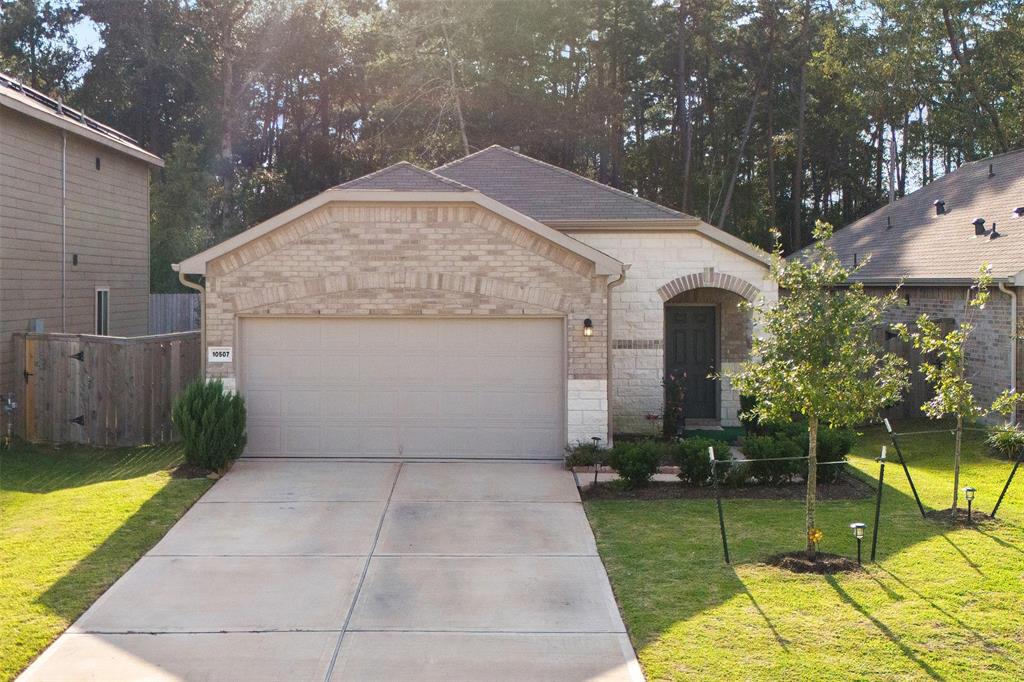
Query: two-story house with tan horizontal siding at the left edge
<point x="74" y="224"/>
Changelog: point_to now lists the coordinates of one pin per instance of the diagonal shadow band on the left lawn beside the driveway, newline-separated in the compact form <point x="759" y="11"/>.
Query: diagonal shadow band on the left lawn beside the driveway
<point x="81" y="586"/>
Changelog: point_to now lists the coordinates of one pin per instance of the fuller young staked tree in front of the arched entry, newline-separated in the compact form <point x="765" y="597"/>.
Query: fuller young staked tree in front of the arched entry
<point x="817" y="357"/>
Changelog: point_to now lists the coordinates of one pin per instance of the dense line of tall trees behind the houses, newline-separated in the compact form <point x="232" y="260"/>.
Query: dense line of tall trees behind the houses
<point x="753" y="115"/>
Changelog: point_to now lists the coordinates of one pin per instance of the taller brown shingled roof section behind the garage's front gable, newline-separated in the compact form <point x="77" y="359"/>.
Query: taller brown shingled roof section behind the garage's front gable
<point x="547" y="193"/>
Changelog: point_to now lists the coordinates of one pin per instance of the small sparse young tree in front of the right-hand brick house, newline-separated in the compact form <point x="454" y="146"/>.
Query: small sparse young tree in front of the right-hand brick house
<point x="946" y="370"/>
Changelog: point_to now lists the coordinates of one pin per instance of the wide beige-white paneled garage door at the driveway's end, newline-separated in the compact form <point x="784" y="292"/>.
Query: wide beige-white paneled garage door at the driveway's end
<point x="404" y="389"/>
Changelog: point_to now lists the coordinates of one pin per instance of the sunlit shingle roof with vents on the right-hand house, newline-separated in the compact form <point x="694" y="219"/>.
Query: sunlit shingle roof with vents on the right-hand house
<point x="907" y="240"/>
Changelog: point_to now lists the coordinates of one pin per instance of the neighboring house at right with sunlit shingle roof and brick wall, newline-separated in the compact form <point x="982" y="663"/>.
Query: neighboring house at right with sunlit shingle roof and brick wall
<point x="935" y="241"/>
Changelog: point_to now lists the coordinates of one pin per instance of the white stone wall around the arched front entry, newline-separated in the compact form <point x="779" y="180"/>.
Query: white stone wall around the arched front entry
<point x="657" y="261"/>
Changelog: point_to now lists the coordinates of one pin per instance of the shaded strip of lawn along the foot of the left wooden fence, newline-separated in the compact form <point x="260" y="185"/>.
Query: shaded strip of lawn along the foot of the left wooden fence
<point x="46" y="470"/>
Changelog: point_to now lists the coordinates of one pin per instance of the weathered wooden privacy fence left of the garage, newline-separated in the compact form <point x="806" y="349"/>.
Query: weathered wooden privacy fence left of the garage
<point x="102" y="391"/>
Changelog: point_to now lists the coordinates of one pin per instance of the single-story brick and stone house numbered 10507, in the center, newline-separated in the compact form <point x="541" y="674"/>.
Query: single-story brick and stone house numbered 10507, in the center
<point x="465" y="313"/>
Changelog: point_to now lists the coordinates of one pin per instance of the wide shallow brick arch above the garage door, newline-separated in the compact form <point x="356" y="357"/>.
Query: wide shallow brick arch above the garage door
<point x="335" y="284"/>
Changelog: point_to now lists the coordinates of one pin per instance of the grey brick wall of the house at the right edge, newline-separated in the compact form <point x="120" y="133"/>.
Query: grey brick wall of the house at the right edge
<point x="989" y="351"/>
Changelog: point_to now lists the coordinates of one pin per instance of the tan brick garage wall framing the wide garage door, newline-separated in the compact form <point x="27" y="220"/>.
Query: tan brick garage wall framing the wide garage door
<point x="352" y="260"/>
